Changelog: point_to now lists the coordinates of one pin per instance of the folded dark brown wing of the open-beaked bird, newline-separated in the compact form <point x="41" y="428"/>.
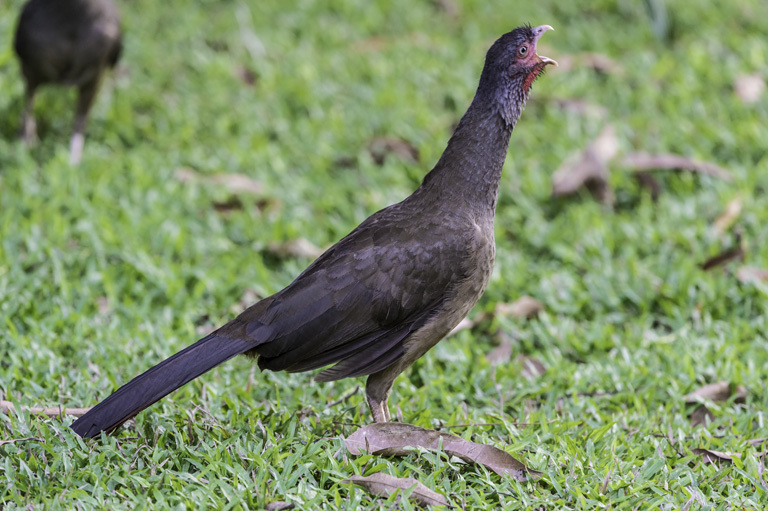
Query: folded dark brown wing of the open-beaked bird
<point x="357" y="303"/>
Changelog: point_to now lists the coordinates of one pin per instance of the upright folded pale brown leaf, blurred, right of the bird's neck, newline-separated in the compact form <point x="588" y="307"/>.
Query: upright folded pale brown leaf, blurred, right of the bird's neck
<point x="590" y="170"/>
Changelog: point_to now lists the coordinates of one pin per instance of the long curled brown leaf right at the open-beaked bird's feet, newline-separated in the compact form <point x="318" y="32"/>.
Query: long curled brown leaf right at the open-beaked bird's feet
<point x="395" y="439"/>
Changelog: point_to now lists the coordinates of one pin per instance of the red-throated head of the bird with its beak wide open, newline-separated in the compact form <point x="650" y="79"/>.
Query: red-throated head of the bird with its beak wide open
<point x="511" y="67"/>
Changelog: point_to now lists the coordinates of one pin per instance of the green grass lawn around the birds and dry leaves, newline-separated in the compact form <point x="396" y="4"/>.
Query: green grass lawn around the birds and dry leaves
<point x="108" y="268"/>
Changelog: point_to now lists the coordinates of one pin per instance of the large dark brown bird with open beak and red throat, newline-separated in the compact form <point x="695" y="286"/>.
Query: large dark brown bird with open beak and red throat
<point x="390" y="290"/>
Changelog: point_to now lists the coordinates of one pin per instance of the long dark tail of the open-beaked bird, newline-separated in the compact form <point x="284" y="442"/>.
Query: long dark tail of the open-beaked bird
<point x="158" y="382"/>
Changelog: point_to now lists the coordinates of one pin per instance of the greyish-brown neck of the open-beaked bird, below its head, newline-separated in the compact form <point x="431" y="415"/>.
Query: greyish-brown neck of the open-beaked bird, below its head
<point x="469" y="171"/>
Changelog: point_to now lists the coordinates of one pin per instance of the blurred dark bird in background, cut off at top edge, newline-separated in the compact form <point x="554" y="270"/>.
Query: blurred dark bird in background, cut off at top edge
<point x="66" y="42"/>
